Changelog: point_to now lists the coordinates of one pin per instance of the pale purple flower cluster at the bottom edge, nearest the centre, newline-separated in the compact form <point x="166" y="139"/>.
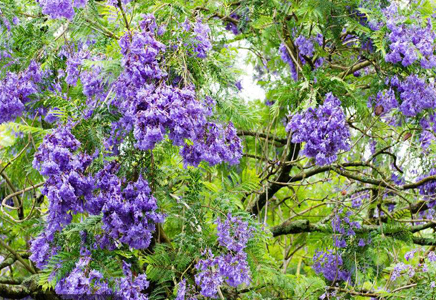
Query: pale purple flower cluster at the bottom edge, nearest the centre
<point x="231" y="267"/>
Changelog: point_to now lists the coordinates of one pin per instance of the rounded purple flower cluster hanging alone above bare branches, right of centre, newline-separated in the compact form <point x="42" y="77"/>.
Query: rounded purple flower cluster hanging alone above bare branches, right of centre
<point x="324" y="130"/>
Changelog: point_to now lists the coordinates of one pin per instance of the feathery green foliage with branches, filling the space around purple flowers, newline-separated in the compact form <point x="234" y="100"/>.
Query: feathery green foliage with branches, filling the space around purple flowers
<point x="194" y="198"/>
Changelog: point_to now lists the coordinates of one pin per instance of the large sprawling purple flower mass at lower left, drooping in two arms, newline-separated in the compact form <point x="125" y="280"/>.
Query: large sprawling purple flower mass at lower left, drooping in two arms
<point x="129" y="215"/>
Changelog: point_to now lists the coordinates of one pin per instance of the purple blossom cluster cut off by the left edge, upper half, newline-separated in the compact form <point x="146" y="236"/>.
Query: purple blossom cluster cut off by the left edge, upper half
<point x="16" y="90"/>
